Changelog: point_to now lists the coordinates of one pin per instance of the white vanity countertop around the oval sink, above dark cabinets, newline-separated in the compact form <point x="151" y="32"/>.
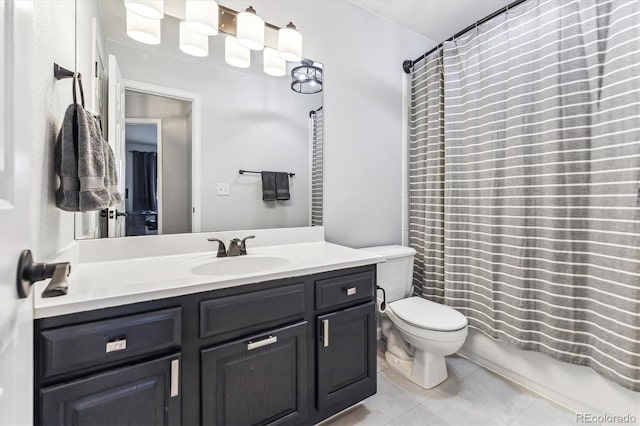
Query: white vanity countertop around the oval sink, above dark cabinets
<point x="102" y="284"/>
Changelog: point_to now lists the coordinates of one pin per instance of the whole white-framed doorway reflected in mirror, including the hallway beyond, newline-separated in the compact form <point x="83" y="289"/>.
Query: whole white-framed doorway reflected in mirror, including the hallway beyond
<point x="173" y="211"/>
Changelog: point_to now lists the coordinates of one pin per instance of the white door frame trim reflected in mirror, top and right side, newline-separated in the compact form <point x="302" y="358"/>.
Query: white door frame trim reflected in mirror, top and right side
<point x="194" y="98"/>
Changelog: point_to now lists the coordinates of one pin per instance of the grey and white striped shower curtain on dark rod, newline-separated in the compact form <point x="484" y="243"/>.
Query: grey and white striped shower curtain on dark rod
<point x="533" y="229"/>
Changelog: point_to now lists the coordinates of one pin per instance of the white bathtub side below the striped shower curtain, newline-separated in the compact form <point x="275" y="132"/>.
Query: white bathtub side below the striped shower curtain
<point x="575" y="386"/>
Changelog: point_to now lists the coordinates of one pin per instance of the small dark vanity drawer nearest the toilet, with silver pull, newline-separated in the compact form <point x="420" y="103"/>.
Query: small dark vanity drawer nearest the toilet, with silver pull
<point x="344" y="289"/>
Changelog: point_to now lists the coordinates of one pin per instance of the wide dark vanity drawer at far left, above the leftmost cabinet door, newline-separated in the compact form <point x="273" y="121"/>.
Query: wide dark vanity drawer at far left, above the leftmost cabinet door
<point x="83" y="346"/>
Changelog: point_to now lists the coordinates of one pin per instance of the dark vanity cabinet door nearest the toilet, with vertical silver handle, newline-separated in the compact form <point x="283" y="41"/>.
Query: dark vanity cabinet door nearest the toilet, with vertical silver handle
<point x="346" y="369"/>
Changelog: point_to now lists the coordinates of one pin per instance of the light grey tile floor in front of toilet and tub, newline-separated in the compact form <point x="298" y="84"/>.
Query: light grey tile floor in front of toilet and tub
<point x="471" y="395"/>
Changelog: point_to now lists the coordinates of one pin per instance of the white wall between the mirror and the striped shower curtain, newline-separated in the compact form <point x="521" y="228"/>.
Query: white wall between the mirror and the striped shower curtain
<point x="362" y="53"/>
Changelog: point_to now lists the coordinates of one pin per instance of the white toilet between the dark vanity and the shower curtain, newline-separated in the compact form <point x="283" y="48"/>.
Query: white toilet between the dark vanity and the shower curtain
<point x="419" y="333"/>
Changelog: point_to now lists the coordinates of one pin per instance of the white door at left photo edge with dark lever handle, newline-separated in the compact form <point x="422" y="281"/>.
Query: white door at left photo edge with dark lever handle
<point x="16" y="315"/>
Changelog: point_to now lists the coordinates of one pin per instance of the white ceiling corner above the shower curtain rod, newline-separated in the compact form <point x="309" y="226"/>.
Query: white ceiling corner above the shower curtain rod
<point x="436" y="20"/>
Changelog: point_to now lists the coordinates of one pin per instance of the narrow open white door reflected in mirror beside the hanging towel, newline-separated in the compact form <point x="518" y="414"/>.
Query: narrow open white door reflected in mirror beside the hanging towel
<point x="116" y="124"/>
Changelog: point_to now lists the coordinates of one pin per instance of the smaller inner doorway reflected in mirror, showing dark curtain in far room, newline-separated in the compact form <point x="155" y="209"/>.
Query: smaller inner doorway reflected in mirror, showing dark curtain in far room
<point x="143" y="176"/>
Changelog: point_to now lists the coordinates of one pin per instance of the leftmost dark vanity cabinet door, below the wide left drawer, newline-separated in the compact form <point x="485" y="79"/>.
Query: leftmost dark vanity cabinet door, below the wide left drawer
<point x="143" y="394"/>
